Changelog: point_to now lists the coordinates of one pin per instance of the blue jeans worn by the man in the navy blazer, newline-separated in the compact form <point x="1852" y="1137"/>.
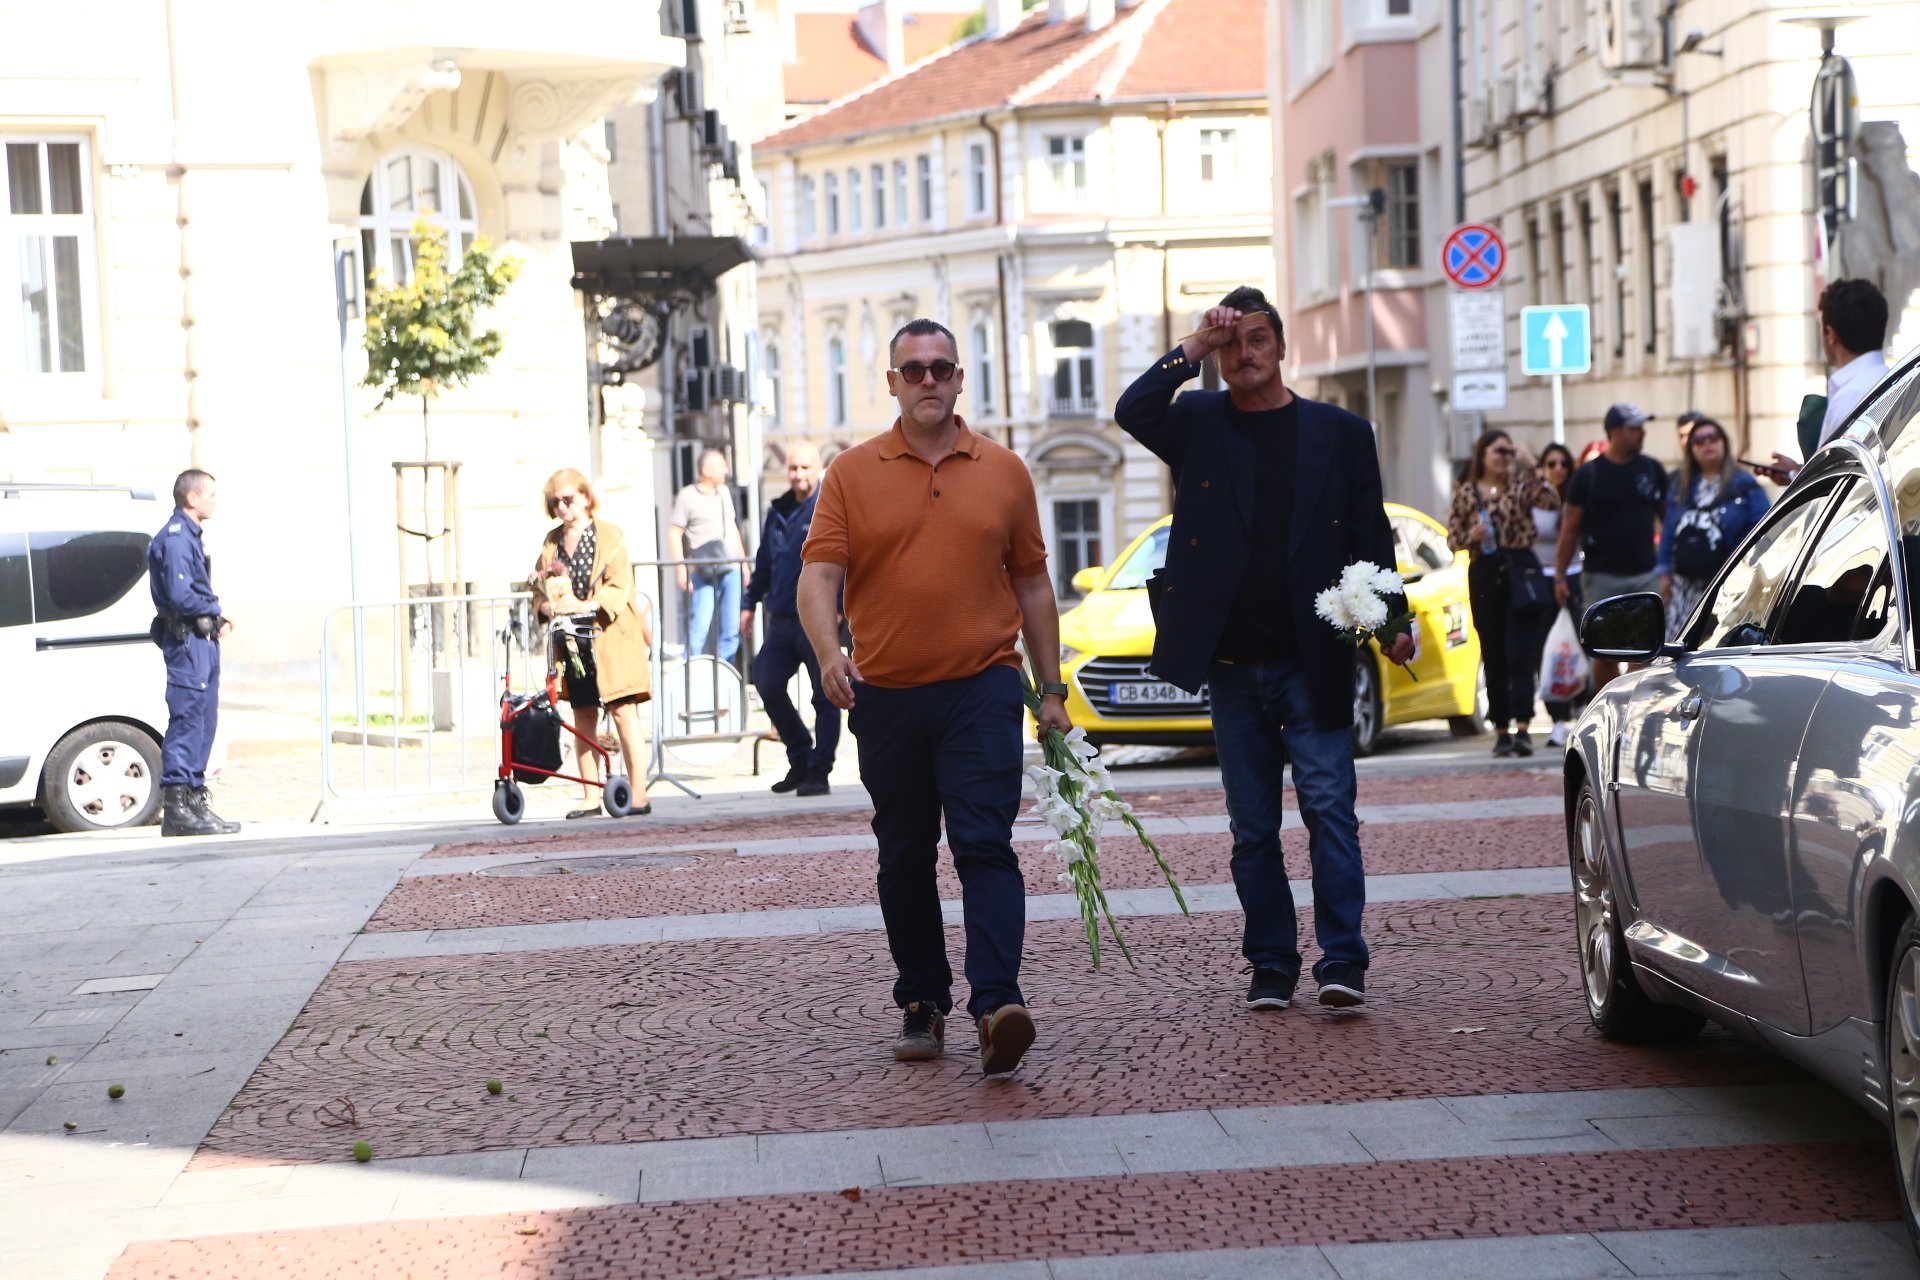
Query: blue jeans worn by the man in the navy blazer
<point x="1260" y="723"/>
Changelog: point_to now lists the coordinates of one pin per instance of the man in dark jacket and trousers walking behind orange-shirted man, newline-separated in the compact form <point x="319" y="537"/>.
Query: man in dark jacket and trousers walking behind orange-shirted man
<point x="777" y="575"/>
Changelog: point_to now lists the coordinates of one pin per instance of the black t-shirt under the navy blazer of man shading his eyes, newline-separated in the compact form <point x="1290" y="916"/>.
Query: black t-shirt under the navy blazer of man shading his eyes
<point x="1260" y="625"/>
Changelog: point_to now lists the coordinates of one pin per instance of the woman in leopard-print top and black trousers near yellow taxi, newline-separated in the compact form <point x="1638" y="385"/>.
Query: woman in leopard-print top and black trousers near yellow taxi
<point x="1493" y="519"/>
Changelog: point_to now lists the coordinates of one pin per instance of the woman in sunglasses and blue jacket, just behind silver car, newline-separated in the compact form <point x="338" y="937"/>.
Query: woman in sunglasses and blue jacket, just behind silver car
<point x="1712" y="508"/>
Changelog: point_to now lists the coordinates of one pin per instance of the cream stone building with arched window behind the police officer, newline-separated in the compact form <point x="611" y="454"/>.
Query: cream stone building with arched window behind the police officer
<point x="180" y="181"/>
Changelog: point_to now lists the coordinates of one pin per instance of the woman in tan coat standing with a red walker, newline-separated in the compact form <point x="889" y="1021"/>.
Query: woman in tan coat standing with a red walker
<point x="585" y="571"/>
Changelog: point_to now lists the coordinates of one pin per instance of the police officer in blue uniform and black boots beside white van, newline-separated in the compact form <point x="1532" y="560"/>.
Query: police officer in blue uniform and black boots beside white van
<point x="189" y="628"/>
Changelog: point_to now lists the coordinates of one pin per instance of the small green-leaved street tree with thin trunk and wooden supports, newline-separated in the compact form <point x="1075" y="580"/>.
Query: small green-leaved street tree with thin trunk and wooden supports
<point x="425" y="337"/>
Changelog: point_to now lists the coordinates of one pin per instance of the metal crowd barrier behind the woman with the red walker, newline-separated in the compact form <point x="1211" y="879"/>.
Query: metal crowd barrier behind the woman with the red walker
<point x="410" y="690"/>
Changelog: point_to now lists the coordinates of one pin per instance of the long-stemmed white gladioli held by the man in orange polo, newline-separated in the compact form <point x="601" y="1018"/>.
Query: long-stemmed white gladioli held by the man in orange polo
<point x="1076" y="797"/>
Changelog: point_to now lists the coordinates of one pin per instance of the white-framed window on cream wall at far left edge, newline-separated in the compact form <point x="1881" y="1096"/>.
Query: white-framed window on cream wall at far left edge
<point x="51" y="227"/>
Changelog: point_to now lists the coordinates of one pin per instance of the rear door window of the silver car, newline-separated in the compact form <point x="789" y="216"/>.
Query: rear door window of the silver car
<point x="1846" y="592"/>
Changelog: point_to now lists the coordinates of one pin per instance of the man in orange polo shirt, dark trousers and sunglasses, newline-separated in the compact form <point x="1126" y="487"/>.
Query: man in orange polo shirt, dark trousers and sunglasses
<point x="936" y="536"/>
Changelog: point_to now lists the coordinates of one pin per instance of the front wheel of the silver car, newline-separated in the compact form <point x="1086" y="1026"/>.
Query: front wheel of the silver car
<point x="1620" y="1008"/>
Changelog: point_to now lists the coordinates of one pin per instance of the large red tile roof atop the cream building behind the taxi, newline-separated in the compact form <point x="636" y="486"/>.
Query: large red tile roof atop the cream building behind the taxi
<point x="1157" y="49"/>
